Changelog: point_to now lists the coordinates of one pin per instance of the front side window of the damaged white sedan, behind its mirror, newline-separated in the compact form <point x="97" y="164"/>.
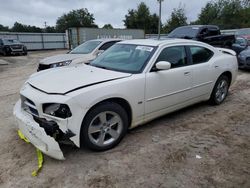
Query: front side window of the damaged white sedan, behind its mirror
<point x="174" y="55"/>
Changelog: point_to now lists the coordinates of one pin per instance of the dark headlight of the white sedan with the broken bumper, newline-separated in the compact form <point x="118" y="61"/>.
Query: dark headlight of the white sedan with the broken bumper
<point x="57" y="110"/>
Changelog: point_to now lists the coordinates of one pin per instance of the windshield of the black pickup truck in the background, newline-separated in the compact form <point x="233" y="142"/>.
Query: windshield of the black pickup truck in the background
<point x="182" y="32"/>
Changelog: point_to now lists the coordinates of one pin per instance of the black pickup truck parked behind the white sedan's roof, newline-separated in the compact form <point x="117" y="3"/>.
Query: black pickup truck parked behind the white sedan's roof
<point x="205" y="33"/>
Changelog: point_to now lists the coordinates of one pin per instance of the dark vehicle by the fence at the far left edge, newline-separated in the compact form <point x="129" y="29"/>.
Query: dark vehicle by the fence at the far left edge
<point x="12" y="46"/>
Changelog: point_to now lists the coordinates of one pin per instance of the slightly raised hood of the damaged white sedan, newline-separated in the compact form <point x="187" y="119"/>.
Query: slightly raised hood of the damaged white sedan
<point x="67" y="79"/>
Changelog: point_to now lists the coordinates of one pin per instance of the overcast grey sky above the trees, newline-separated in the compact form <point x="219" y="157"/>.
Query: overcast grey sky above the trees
<point x="36" y="12"/>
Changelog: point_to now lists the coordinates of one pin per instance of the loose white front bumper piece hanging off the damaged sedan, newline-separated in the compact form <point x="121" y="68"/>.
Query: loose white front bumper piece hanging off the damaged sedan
<point x="36" y="134"/>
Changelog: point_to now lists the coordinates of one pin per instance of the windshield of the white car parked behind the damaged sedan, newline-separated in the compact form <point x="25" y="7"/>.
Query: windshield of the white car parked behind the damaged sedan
<point x="86" y="47"/>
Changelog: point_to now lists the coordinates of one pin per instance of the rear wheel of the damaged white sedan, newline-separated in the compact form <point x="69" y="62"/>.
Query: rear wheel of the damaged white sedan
<point x="215" y="99"/>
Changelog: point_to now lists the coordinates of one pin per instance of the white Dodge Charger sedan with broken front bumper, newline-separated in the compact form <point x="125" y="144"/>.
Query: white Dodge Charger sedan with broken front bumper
<point x="130" y="84"/>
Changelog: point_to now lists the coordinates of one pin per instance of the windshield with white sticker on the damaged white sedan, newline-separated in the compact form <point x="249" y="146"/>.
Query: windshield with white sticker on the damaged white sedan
<point x="128" y="58"/>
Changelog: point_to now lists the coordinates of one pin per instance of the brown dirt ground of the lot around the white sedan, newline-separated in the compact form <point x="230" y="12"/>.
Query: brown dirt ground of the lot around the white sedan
<point x="159" y="154"/>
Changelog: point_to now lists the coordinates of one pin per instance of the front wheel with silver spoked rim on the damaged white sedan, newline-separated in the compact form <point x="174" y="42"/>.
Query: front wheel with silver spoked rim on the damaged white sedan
<point x="92" y="140"/>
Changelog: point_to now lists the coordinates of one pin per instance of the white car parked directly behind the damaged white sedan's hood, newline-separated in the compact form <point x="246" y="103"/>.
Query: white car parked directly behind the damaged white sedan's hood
<point x="83" y="53"/>
